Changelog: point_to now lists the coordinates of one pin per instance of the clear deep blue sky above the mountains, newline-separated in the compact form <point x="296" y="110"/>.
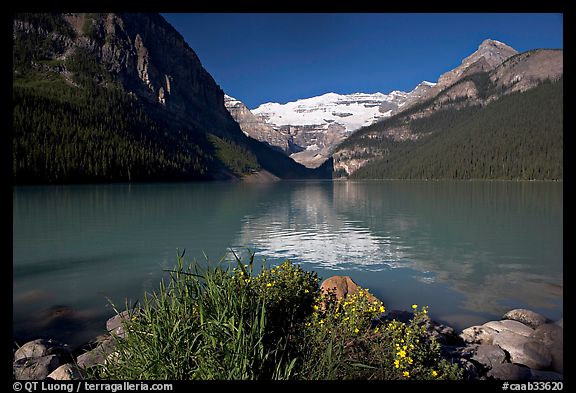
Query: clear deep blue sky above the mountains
<point x="260" y="58"/>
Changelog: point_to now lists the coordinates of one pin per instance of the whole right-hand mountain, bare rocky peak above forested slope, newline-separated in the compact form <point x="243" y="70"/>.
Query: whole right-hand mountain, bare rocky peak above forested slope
<point x="498" y="115"/>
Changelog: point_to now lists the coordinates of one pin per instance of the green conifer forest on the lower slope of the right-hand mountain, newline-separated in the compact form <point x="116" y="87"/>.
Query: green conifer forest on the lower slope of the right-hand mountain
<point x="519" y="136"/>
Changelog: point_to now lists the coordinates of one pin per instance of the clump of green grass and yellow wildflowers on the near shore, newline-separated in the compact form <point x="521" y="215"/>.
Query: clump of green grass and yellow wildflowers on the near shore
<point x="228" y="323"/>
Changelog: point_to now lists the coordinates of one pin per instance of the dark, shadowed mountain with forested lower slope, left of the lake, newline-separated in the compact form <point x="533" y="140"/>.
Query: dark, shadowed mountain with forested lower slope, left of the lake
<point x="122" y="97"/>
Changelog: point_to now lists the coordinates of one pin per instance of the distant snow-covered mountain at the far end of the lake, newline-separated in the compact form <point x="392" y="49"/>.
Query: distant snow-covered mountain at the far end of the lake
<point x="310" y="128"/>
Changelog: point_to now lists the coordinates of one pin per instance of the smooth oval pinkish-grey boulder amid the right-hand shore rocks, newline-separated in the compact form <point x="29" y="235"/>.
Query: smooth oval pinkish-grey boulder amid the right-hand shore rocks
<point x="524" y="350"/>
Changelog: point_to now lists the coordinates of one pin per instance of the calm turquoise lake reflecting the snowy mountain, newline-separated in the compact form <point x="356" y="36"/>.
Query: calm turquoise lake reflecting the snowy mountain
<point x="470" y="250"/>
